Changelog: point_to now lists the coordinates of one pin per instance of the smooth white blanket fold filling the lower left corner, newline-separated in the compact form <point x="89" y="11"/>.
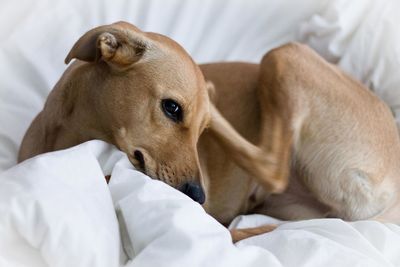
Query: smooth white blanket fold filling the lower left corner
<point x="56" y="210"/>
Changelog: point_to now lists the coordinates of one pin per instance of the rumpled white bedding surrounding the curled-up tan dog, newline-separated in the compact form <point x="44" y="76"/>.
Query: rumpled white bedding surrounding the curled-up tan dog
<point x="56" y="210"/>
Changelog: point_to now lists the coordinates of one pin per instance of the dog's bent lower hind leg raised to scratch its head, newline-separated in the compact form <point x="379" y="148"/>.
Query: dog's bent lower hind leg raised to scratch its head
<point x="269" y="161"/>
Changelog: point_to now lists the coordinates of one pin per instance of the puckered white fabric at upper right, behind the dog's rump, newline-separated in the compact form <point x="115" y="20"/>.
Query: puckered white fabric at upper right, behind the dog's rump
<point x="363" y="38"/>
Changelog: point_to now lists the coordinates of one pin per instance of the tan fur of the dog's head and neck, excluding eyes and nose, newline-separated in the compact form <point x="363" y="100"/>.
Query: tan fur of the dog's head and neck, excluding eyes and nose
<point x="116" y="97"/>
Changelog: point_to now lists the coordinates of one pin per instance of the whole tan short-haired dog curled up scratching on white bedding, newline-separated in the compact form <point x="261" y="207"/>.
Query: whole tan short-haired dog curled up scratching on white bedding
<point x="293" y="137"/>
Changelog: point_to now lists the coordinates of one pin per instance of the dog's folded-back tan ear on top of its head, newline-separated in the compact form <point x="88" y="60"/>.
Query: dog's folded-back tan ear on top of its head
<point x="120" y="44"/>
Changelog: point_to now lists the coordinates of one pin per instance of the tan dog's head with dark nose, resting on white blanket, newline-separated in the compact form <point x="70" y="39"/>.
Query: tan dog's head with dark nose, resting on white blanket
<point x="151" y="101"/>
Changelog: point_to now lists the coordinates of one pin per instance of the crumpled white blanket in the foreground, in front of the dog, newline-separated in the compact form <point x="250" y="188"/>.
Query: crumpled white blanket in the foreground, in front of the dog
<point x="56" y="210"/>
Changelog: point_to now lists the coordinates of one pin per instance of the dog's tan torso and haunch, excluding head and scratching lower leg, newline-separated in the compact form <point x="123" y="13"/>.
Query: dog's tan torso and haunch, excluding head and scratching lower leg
<point x="345" y="149"/>
